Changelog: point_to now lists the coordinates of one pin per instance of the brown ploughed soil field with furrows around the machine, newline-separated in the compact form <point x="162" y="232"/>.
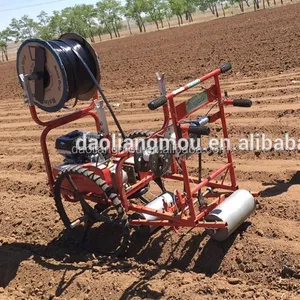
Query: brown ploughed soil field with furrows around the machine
<point x="37" y="262"/>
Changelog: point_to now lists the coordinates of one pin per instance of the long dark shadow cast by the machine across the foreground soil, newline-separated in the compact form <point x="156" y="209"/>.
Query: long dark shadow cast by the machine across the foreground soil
<point x="163" y="251"/>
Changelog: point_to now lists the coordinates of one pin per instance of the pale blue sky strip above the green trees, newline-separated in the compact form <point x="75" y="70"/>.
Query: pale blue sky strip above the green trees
<point x="17" y="8"/>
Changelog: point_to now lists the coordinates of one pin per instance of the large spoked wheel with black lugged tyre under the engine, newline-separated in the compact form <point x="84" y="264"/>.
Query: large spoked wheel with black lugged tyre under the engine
<point x="73" y="190"/>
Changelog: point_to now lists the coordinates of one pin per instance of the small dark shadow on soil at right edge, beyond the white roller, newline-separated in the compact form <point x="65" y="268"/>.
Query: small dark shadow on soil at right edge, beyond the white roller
<point x="280" y="186"/>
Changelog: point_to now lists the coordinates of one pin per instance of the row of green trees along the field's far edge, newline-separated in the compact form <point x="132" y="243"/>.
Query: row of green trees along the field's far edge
<point x="110" y="16"/>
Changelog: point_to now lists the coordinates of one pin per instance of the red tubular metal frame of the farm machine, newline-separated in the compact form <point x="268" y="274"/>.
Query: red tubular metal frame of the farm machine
<point x="188" y="215"/>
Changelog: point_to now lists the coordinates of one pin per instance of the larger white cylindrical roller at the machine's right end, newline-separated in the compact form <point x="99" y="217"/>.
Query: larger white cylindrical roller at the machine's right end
<point x="234" y="210"/>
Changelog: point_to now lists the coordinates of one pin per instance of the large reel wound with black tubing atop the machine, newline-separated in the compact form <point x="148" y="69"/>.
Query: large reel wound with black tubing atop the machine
<point x="55" y="72"/>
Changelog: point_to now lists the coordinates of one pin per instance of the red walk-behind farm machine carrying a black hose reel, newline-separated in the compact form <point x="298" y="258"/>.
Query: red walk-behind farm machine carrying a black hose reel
<point x="110" y="190"/>
